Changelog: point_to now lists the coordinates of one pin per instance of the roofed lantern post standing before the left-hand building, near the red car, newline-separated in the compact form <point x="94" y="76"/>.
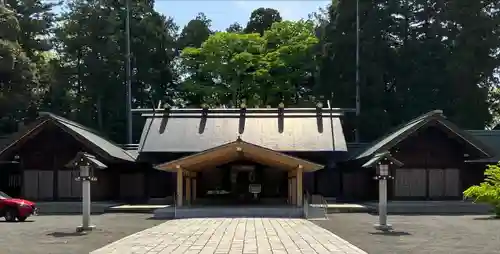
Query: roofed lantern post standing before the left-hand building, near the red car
<point x="86" y="163"/>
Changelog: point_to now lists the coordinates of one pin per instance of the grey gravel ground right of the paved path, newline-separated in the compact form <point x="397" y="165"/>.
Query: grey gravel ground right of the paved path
<point x="418" y="234"/>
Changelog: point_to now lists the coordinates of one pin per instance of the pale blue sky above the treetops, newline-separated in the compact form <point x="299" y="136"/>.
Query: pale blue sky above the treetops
<point x="225" y="12"/>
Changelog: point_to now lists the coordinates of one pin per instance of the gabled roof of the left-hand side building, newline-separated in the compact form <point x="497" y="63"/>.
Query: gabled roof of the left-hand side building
<point x="82" y="133"/>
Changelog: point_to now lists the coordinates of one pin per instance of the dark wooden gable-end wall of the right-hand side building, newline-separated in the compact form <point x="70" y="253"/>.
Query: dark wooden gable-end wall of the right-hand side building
<point x="433" y="165"/>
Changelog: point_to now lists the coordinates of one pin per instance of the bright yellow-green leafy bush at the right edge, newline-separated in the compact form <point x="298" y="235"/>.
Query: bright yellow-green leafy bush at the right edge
<point x="488" y="191"/>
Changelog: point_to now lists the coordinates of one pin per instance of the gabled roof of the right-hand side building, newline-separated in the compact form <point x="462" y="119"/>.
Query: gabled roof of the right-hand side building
<point x="403" y="131"/>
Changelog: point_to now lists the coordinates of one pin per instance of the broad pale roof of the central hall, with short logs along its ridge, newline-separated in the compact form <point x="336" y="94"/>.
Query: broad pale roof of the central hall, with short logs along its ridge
<point x="286" y="130"/>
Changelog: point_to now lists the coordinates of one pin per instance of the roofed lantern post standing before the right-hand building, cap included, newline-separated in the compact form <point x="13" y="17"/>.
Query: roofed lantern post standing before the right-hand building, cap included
<point x="382" y="162"/>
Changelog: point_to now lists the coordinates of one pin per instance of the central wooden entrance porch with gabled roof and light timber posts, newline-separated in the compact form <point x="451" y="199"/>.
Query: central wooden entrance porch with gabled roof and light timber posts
<point x="239" y="173"/>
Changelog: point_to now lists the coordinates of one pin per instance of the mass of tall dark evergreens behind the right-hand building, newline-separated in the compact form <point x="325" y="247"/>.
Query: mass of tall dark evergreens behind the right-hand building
<point x="415" y="56"/>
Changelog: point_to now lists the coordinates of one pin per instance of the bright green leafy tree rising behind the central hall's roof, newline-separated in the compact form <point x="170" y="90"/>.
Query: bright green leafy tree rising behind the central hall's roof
<point x="261" y="70"/>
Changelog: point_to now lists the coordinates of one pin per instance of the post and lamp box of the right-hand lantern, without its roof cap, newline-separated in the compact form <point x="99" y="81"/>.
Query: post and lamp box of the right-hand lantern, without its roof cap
<point x="382" y="177"/>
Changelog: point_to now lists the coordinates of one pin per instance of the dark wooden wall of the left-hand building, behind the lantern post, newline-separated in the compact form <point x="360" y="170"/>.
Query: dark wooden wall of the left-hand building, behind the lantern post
<point x="43" y="160"/>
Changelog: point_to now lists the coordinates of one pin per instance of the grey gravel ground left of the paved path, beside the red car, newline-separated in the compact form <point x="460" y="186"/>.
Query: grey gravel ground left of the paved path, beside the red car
<point x="56" y="234"/>
